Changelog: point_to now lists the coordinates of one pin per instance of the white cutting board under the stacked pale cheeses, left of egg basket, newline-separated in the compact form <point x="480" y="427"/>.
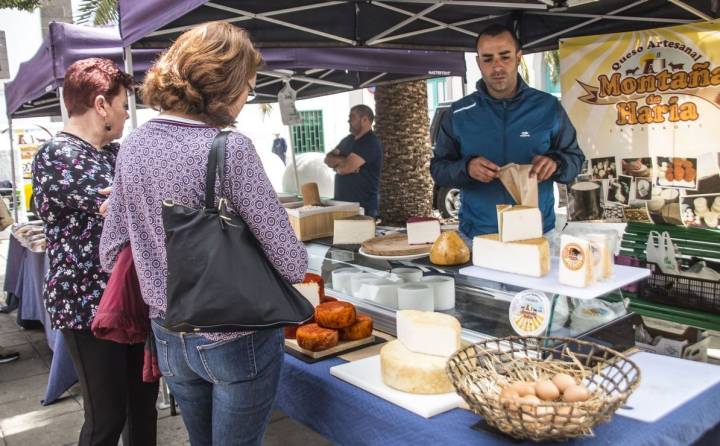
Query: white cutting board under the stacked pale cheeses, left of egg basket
<point x="365" y="373"/>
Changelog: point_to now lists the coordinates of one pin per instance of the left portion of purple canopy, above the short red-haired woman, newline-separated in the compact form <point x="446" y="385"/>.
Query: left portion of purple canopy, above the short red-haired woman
<point x="33" y="90"/>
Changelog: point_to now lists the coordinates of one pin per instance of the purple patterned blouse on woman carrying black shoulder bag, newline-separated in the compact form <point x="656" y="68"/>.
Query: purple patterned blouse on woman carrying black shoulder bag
<point x="166" y="158"/>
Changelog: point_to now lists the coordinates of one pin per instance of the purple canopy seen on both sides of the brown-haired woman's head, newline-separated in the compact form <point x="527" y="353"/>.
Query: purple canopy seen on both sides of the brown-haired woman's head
<point x="311" y="71"/>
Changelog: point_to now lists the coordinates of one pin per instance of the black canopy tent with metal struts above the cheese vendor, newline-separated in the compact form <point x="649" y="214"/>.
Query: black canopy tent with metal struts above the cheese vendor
<point x="415" y="24"/>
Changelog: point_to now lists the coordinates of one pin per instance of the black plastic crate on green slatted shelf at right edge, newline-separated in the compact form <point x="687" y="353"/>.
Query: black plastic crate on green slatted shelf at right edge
<point x="681" y="291"/>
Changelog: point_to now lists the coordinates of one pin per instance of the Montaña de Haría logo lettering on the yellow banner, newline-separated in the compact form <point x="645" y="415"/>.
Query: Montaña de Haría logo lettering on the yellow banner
<point x="659" y="82"/>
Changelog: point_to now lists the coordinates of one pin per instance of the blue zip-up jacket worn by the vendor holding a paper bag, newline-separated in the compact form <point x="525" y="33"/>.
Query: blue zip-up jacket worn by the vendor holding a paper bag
<point x="503" y="131"/>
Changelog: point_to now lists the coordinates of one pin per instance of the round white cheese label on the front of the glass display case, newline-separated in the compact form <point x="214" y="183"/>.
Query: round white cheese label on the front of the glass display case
<point x="529" y="313"/>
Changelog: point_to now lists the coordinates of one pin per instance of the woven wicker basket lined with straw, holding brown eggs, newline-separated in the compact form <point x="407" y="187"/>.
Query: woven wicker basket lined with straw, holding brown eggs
<point x="479" y="372"/>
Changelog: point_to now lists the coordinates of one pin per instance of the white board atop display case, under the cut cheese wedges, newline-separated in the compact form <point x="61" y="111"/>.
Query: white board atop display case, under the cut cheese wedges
<point x="622" y="276"/>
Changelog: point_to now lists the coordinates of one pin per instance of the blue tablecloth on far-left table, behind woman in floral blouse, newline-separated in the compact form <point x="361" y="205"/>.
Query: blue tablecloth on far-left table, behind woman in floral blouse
<point x="25" y="277"/>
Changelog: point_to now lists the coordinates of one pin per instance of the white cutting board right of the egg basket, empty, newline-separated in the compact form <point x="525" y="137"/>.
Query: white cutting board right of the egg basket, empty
<point x="666" y="383"/>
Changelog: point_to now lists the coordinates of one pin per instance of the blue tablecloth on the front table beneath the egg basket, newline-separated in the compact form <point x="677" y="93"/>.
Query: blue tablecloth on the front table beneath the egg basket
<point x="347" y="415"/>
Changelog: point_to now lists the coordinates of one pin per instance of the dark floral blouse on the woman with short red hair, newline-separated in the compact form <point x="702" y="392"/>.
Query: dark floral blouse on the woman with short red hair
<point x="67" y="174"/>
